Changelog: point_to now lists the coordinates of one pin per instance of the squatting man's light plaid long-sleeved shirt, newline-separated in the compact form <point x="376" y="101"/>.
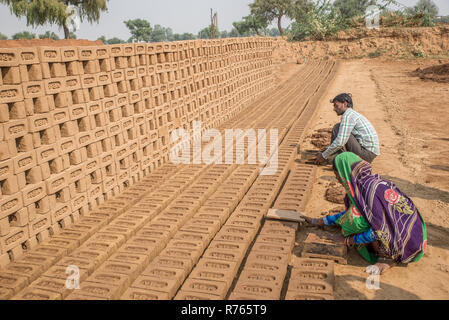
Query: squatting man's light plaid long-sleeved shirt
<point x="355" y="123"/>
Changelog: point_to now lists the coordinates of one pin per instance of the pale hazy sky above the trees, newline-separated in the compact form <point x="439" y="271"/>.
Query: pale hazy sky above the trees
<point x="180" y="15"/>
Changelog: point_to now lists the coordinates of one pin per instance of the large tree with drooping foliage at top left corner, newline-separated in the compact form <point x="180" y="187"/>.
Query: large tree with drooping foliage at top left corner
<point x="40" y="12"/>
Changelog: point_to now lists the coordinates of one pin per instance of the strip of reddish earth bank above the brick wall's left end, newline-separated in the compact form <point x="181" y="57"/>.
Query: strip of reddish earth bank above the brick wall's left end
<point x="48" y="43"/>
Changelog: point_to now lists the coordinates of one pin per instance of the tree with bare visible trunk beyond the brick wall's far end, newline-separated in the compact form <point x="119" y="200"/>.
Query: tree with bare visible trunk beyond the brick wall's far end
<point x="269" y="10"/>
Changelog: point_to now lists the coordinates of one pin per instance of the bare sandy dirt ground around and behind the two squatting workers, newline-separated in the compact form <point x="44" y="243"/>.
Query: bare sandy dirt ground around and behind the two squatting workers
<point x="412" y="119"/>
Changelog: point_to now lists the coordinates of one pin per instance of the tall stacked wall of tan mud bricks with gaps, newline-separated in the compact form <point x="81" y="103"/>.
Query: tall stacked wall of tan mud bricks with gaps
<point x="80" y="124"/>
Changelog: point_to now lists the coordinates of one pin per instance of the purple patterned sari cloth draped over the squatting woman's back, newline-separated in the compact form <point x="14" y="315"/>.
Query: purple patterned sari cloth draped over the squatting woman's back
<point x="392" y="215"/>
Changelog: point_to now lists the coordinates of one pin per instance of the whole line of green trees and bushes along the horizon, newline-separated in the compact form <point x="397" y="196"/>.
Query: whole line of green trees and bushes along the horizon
<point x="311" y="19"/>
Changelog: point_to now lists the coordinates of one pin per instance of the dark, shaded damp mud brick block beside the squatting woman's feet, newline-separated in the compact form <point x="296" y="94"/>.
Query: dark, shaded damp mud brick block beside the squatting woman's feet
<point x="329" y="247"/>
